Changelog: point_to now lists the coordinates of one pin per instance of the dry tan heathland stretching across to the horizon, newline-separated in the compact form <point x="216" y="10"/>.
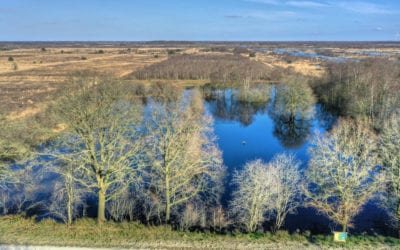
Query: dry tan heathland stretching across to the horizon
<point x="31" y="72"/>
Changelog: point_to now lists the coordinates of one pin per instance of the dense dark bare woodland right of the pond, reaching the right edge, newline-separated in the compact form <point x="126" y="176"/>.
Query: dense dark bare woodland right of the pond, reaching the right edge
<point x="361" y="89"/>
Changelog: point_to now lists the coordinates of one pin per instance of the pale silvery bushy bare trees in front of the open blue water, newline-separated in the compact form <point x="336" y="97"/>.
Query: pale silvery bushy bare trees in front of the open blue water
<point x="266" y="189"/>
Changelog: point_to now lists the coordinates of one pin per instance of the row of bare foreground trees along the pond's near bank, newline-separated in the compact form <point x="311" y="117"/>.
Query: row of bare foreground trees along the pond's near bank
<point x="160" y="164"/>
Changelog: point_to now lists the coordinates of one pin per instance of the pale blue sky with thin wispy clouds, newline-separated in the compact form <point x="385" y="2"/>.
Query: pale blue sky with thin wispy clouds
<point x="199" y="20"/>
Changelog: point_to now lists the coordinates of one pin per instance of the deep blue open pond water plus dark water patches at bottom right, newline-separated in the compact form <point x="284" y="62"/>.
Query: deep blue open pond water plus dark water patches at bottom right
<point x="248" y="130"/>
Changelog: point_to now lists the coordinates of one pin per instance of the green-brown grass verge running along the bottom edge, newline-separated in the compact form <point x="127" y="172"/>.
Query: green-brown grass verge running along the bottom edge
<point x="17" y="230"/>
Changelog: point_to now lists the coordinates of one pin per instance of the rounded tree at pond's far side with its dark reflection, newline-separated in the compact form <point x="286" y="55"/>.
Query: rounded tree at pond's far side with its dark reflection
<point x="292" y="110"/>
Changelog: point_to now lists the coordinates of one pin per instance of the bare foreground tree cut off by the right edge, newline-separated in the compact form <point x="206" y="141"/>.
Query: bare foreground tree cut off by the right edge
<point x="389" y="152"/>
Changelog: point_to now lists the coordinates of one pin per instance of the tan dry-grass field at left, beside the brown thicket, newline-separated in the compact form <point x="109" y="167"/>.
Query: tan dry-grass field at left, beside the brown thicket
<point x="24" y="89"/>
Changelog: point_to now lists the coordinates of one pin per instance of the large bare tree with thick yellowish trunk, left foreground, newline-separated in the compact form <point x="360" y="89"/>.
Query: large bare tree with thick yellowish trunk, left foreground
<point x="104" y="120"/>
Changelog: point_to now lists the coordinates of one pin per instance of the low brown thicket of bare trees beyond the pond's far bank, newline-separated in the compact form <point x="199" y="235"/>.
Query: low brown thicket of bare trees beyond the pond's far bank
<point x="215" y="68"/>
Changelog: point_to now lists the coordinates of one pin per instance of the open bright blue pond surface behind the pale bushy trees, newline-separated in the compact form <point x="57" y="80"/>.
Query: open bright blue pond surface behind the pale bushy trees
<point x="248" y="131"/>
